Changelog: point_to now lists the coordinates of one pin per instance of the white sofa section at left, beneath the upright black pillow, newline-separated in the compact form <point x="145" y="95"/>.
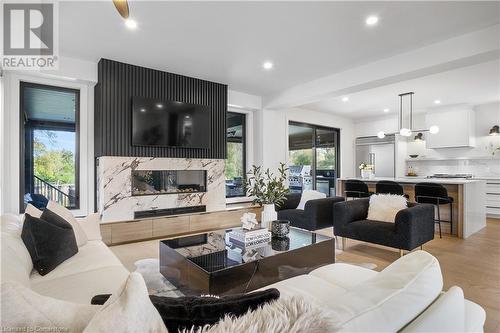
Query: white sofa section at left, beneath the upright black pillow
<point x="93" y="270"/>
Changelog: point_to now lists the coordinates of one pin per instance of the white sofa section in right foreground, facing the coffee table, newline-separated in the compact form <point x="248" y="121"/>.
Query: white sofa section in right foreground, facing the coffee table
<point x="405" y="297"/>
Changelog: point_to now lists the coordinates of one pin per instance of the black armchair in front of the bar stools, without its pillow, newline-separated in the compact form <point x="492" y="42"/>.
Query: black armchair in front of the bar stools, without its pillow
<point x="413" y="227"/>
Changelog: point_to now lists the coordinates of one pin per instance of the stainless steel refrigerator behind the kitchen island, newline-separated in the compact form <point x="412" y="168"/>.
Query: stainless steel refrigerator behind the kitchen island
<point x="381" y="153"/>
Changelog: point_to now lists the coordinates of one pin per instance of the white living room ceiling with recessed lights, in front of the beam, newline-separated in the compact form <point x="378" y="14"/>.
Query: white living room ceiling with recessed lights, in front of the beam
<point x="228" y="41"/>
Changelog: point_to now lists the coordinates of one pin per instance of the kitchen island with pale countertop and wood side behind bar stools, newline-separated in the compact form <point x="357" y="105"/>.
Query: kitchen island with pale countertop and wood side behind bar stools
<point x="469" y="212"/>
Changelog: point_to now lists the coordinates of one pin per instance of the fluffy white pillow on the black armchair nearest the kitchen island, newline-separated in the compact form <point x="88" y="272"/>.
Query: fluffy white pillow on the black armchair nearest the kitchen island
<point x="384" y="207"/>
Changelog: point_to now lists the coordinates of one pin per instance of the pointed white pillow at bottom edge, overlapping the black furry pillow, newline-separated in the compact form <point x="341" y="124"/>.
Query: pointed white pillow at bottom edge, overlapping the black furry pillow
<point x="129" y="310"/>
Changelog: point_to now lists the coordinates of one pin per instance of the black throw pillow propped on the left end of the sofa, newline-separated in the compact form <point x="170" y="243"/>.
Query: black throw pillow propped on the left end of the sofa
<point x="50" y="240"/>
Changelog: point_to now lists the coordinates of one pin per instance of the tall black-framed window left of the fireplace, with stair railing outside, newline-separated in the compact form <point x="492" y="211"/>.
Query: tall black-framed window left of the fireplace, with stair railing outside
<point x="49" y="145"/>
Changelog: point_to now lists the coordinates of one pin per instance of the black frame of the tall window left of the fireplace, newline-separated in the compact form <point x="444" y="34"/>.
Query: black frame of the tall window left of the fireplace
<point x="22" y="138"/>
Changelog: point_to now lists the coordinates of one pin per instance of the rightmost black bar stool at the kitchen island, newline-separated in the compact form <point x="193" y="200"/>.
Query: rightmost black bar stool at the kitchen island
<point x="437" y="195"/>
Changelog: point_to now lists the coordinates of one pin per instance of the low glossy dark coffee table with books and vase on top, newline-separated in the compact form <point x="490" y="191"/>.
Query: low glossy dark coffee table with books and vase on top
<point x="210" y="263"/>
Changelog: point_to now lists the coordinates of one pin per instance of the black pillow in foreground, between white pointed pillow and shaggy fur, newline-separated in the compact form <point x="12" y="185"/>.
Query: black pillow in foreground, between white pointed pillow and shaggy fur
<point x="191" y="311"/>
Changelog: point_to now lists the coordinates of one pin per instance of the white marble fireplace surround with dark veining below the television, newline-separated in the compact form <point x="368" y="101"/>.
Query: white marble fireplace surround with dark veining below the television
<point x="114" y="186"/>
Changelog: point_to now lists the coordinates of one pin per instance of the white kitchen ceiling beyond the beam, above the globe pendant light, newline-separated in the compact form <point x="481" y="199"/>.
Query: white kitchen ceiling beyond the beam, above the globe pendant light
<point x="476" y="84"/>
